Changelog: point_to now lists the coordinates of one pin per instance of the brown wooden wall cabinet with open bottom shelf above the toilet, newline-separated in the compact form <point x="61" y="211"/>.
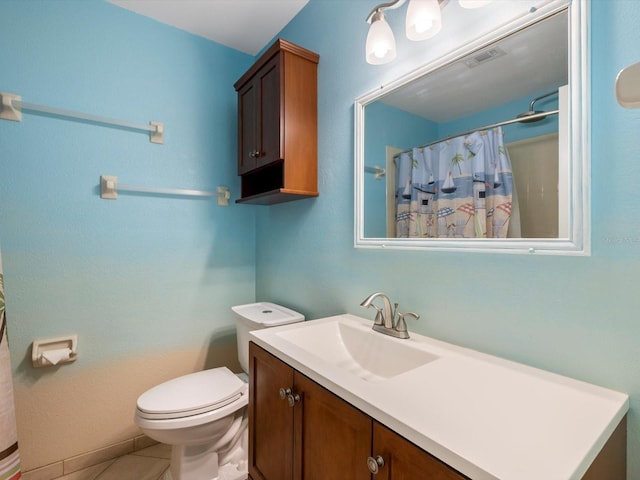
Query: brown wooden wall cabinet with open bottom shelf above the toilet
<point x="277" y="126"/>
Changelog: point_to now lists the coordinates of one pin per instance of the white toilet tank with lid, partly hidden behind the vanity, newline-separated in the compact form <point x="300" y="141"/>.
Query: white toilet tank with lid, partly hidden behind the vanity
<point x="256" y="316"/>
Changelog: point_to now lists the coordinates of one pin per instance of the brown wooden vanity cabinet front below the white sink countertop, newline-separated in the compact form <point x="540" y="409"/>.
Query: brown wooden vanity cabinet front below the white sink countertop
<point x="311" y="434"/>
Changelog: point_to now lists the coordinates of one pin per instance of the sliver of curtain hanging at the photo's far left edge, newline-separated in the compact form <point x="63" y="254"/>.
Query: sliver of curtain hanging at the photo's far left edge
<point x="9" y="457"/>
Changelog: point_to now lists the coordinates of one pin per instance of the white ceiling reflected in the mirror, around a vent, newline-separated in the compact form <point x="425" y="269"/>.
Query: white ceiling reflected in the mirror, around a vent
<point x="535" y="59"/>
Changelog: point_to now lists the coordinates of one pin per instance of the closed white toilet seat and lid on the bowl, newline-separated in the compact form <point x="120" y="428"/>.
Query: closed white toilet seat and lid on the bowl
<point x="192" y="394"/>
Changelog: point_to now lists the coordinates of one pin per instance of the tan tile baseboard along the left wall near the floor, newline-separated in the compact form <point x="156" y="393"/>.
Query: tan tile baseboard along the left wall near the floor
<point x="86" y="460"/>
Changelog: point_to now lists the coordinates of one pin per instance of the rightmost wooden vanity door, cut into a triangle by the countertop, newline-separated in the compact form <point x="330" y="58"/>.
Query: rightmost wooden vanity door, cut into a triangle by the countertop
<point x="405" y="461"/>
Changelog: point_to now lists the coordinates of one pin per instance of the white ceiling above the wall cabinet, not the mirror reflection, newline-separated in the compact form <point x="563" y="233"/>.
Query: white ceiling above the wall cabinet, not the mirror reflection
<point x="245" y="25"/>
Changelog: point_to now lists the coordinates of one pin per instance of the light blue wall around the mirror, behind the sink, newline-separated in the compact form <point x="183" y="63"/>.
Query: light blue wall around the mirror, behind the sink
<point x="578" y="316"/>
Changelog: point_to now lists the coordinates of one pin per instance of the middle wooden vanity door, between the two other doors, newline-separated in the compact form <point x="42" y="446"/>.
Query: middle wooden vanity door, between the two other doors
<point x="332" y="438"/>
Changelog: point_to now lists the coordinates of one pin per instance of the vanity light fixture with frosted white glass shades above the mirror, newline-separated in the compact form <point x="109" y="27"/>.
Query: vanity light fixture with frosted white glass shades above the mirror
<point x="424" y="20"/>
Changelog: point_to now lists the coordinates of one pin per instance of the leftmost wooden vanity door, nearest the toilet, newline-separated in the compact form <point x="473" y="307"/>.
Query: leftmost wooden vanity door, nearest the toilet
<point x="270" y="417"/>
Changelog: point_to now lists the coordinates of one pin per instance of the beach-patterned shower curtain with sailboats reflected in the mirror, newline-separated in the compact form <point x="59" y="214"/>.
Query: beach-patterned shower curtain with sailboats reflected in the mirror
<point x="459" y="188"/>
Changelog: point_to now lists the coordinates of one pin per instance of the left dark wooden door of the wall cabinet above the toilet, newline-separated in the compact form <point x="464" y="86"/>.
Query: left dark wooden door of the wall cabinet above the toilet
<point x="248" y="127"/>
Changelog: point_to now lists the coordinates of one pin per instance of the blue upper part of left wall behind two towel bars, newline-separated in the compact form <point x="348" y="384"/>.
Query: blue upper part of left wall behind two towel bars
<point x="142" y="273"/>
